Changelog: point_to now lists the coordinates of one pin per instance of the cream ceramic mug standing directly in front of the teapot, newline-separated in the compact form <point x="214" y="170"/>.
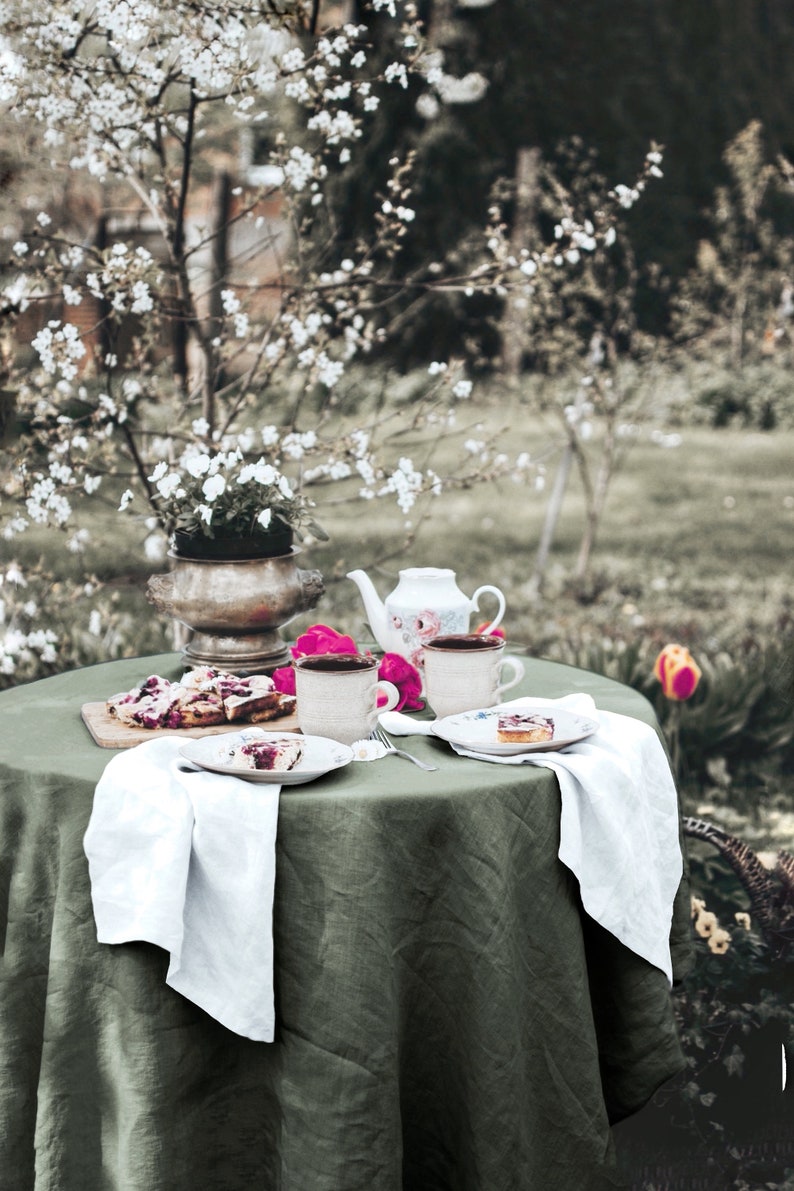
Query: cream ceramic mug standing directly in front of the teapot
<point x="464" y="672"/>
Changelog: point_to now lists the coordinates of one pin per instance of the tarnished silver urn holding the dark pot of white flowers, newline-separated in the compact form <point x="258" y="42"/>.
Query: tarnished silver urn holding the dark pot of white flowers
<point x="235" y="608"/>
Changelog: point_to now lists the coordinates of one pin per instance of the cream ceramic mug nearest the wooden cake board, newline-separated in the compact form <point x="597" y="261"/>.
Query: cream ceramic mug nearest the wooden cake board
<point x="337" y="696"/>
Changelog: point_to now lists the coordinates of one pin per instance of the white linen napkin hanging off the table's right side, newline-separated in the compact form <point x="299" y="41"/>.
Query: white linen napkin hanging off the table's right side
<point x="620" y="826"/>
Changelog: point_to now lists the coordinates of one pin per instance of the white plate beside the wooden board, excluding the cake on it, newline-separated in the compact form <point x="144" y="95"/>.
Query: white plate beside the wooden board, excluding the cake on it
<point x="321" y="757"/>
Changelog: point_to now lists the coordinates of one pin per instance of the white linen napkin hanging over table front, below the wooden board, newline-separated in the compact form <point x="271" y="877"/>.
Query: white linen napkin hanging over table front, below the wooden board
<point x="186" y="860"/>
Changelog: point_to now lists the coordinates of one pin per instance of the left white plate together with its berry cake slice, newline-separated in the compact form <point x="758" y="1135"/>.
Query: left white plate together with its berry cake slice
<point x="268" y="758"/>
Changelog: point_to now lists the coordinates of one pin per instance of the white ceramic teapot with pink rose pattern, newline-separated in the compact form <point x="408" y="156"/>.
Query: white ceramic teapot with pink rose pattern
<point x="426" y="603"/>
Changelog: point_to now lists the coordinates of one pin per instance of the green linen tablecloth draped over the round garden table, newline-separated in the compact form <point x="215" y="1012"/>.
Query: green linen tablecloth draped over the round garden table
<point x="448" y="1019"/>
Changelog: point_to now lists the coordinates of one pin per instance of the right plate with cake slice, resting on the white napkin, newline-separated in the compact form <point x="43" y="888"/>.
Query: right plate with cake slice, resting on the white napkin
<point x="509" y="732"/>
